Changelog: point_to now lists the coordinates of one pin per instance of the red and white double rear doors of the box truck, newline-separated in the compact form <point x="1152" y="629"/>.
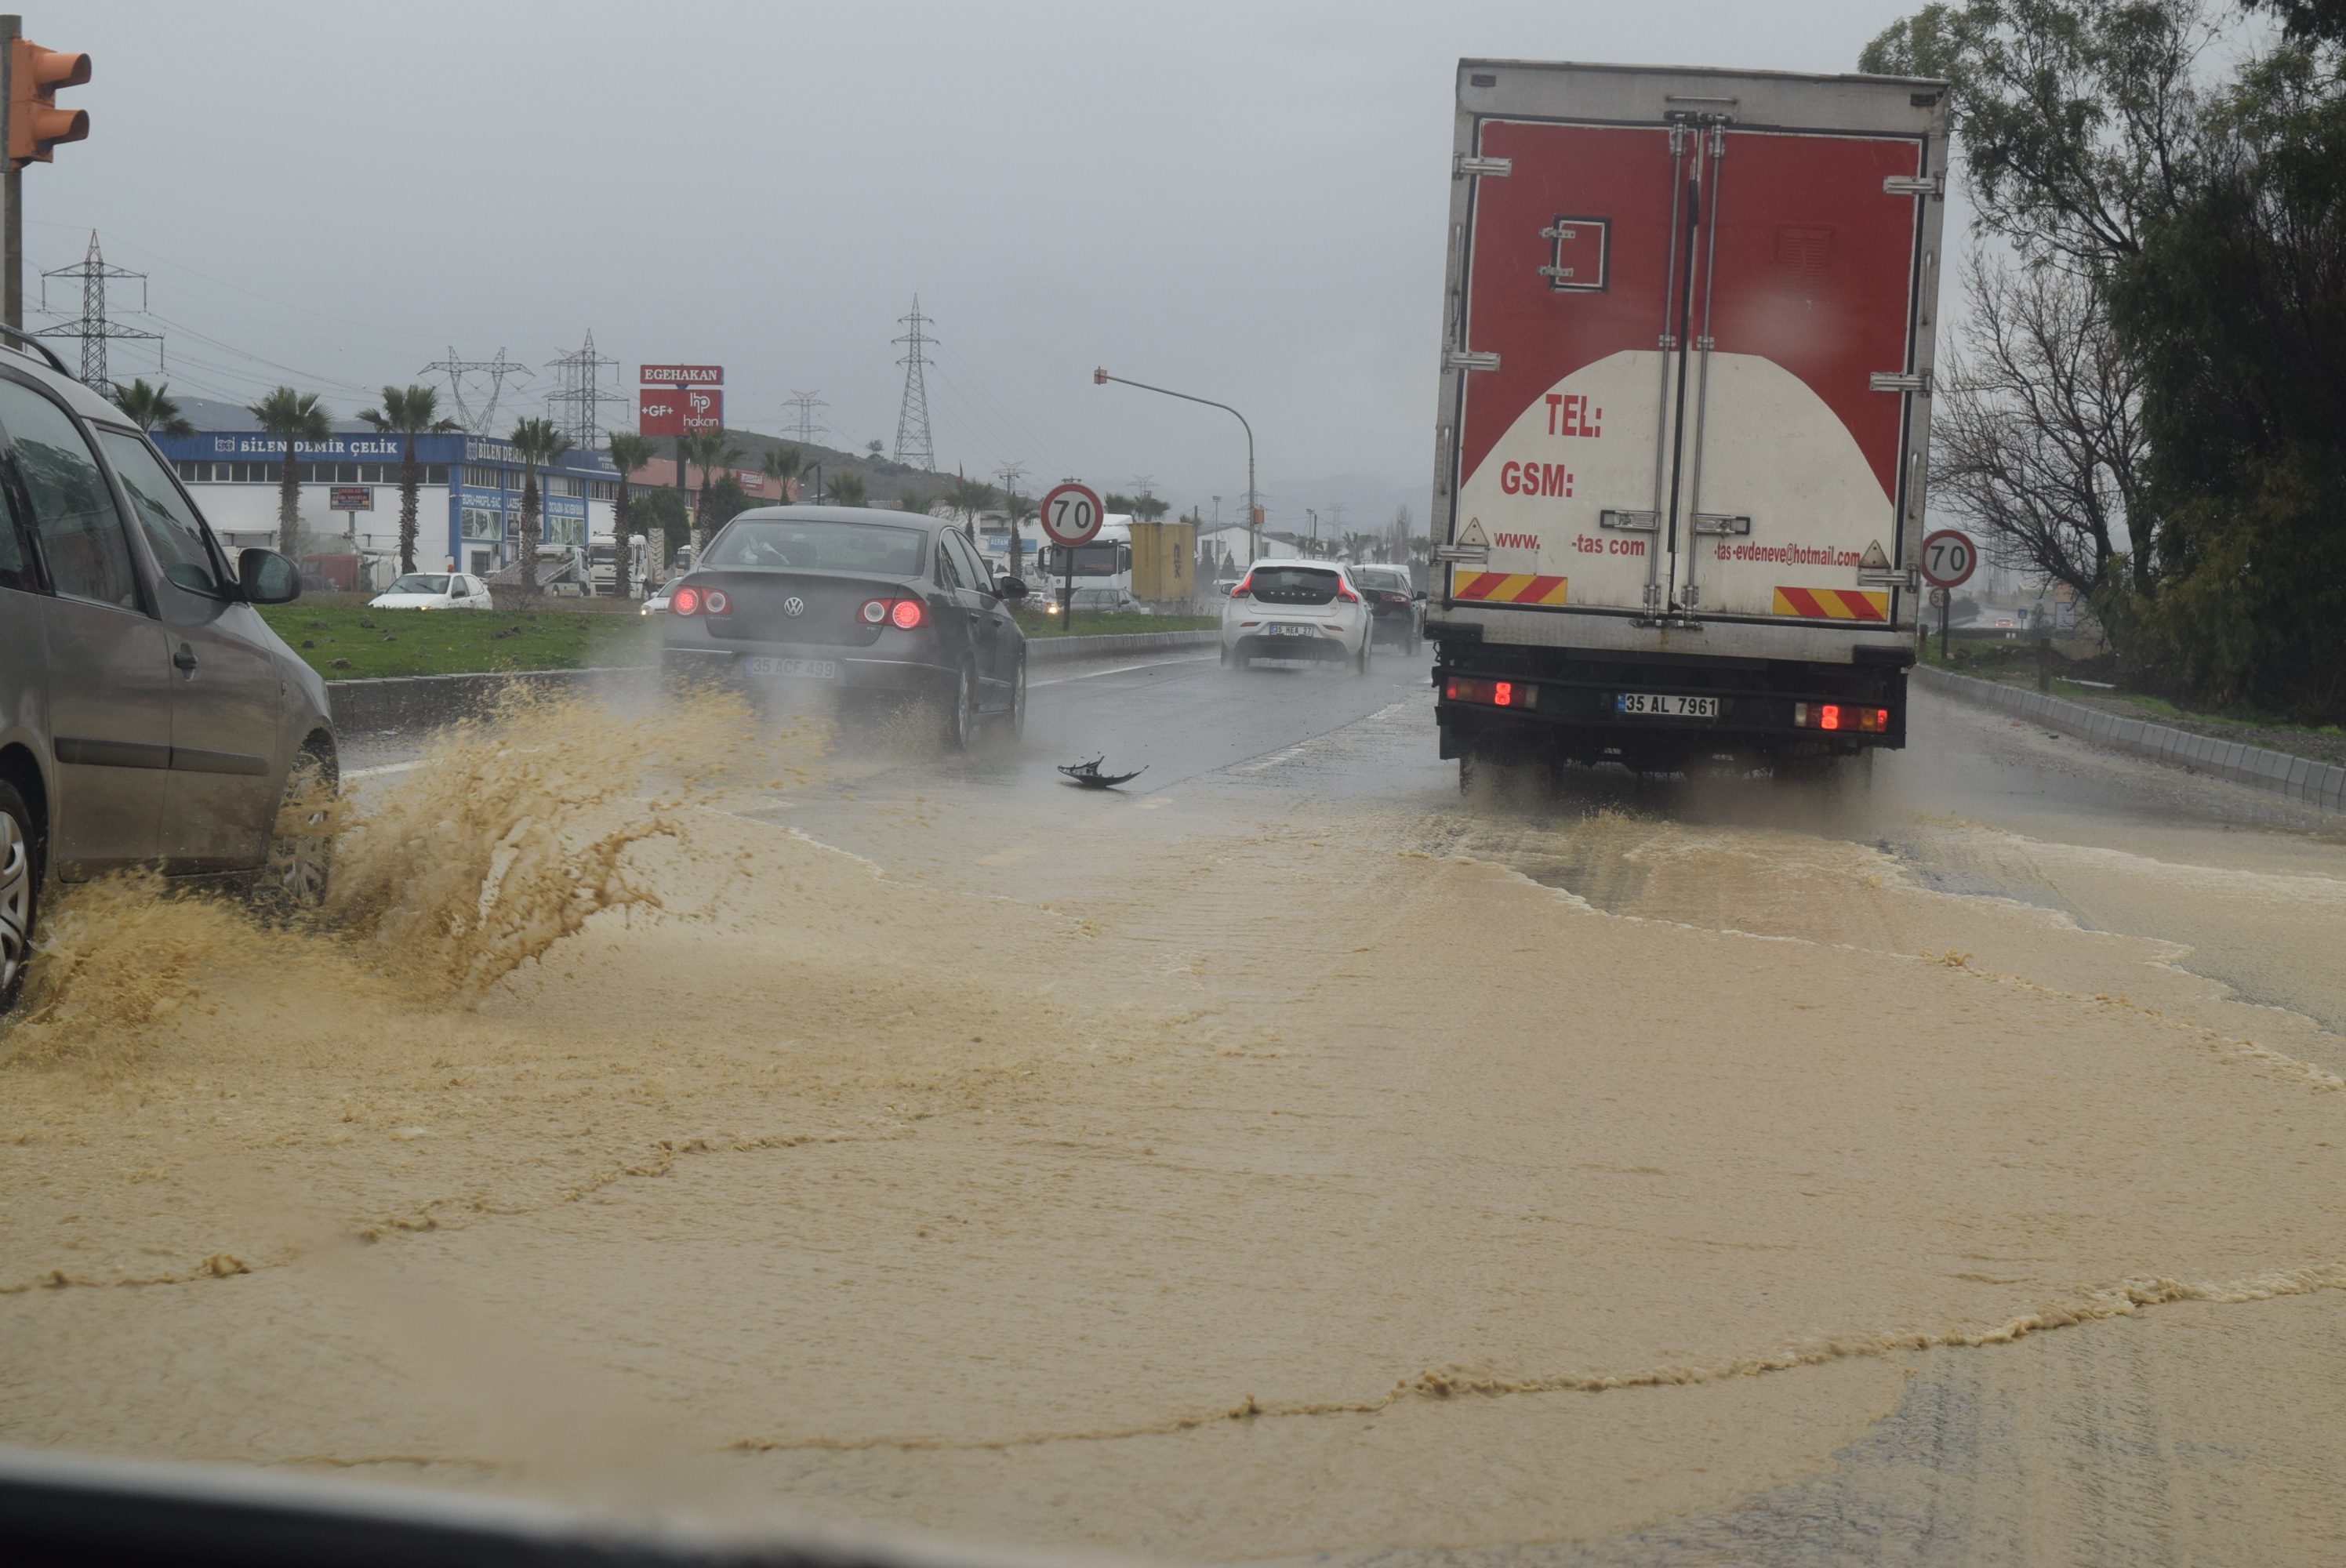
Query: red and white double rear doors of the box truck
<point x="1686" y="358"/>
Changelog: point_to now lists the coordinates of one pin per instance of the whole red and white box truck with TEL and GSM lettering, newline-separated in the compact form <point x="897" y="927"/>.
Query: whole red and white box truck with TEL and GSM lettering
<point x="1686" y="410"/>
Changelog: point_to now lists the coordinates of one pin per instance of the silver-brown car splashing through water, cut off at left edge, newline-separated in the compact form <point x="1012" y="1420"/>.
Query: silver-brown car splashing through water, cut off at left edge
<point x="149" y="717"/>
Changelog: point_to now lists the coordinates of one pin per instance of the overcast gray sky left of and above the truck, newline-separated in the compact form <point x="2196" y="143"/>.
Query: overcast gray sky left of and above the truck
<point x="1238" y="201"/>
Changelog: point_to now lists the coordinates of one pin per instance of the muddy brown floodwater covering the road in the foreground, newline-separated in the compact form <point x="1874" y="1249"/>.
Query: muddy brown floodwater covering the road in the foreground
<point x="1233" y="1172"/>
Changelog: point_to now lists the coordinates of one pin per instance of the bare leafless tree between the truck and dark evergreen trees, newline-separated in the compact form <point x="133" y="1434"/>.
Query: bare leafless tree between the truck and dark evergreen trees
<point x="2038" y="435"/>
